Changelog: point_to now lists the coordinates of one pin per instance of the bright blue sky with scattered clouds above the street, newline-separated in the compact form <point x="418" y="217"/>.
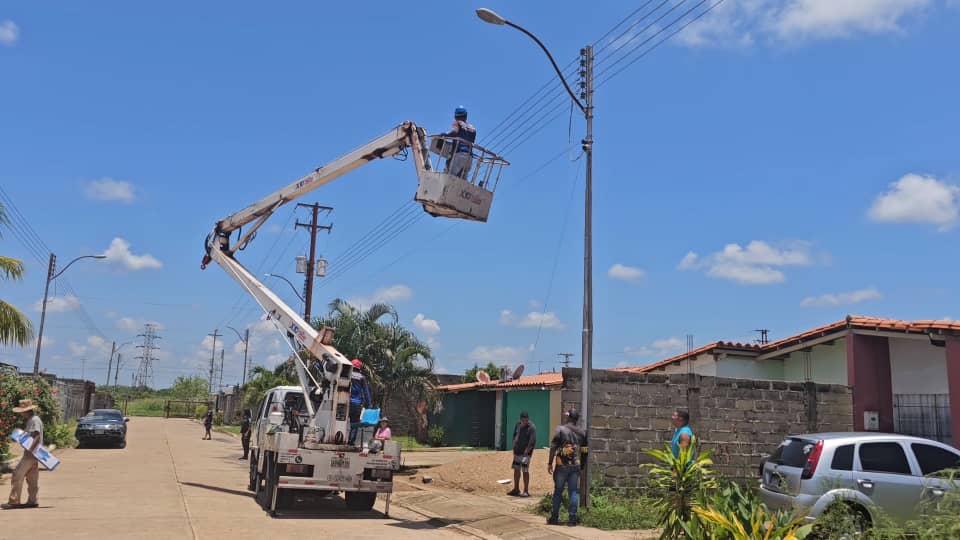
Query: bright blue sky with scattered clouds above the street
<point x="775" y="165"/>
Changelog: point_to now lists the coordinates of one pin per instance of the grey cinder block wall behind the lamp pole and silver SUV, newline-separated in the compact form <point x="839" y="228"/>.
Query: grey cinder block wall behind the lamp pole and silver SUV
<point x="742" y="420"/>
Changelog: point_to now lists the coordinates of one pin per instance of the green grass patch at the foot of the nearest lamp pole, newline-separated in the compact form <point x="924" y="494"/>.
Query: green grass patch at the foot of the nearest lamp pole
<point x="609" y="511"/>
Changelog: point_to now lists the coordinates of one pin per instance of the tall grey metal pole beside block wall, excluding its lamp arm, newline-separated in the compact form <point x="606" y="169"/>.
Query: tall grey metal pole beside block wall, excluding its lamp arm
<point x="586" y="92"/>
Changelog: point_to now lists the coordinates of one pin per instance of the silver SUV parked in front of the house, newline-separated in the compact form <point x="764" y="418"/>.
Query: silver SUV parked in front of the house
<point x="871" y="471"/>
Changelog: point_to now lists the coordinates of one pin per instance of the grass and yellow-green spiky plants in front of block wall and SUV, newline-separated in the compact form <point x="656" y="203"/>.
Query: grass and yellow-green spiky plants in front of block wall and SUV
<point x="686" y="498"/>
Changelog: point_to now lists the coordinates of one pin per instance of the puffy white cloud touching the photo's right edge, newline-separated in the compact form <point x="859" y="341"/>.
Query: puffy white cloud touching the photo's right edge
<point x="918" y="199"/>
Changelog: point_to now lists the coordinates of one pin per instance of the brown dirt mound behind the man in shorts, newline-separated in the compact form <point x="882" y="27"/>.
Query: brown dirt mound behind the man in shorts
<point x="480" y="474"/>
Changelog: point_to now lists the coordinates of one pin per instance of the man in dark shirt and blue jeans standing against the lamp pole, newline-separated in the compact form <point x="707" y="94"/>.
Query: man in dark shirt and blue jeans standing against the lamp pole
<point x="568" y="451"/>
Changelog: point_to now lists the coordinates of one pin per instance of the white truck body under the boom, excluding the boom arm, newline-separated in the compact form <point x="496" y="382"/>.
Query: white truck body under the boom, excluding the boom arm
<point x="282" y="463"/>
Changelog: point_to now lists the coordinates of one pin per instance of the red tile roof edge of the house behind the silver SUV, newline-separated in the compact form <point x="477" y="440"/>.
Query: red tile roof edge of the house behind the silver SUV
<point x="851" y="322"/>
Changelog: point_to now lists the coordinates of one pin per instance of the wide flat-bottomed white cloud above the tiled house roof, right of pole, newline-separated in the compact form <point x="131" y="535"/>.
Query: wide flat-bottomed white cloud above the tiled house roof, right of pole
<point x="756" y="264"/>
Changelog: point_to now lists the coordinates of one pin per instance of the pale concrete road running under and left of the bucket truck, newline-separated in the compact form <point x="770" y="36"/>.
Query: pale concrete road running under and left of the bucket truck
<point x="168" y="483"/>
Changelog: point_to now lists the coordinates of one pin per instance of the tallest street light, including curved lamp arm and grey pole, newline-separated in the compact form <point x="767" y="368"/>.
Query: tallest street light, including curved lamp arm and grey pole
<point x="586" y="71"/>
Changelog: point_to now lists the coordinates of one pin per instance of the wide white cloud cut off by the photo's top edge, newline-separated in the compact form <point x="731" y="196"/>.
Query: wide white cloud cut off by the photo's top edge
<point x="744" y="22"/>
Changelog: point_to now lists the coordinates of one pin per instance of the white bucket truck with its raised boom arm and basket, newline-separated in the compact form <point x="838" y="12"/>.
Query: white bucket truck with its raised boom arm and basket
<point x="300" y="439"/>
